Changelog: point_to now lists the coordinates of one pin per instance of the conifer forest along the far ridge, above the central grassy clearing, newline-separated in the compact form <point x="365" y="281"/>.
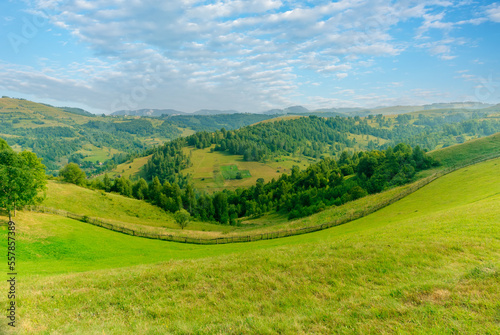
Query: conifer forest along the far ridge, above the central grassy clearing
<point x="318" y="137"/>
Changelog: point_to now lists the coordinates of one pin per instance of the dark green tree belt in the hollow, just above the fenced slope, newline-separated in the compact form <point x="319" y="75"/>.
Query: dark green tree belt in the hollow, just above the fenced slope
<point x="302" y="193"/>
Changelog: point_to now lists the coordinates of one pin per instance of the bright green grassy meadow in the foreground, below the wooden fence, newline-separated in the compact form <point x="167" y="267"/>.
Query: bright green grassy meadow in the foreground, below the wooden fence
<point x="428" y="264"/>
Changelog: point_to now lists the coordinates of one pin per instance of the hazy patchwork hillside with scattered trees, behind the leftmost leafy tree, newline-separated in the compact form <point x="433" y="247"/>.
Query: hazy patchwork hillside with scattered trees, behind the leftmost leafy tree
<point x="62" y="135"/>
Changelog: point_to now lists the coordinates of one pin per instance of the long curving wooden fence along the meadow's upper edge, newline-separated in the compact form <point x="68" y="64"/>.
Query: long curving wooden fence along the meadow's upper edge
<point x="264" y="236"/>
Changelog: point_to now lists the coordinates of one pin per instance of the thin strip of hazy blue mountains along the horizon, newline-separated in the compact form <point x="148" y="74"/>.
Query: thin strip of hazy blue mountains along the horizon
<point x="341" y="111"/>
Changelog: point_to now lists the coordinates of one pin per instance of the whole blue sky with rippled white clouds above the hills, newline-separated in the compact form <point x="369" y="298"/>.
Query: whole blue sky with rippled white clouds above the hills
<point x="249" y="55"/>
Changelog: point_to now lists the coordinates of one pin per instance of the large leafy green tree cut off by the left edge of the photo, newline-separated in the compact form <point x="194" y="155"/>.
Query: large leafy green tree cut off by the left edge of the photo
<point x="22" y="177"/>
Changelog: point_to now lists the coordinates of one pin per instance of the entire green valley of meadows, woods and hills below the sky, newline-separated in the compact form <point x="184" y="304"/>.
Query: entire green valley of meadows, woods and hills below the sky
<point x="415" y="249"/>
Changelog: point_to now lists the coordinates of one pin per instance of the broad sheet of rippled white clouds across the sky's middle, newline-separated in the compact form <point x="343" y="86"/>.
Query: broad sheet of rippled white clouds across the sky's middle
<point x="240" y="54"/>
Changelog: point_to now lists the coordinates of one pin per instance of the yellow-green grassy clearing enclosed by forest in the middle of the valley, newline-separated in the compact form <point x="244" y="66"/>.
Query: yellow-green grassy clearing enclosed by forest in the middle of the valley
<point x="207" y="171"/>
